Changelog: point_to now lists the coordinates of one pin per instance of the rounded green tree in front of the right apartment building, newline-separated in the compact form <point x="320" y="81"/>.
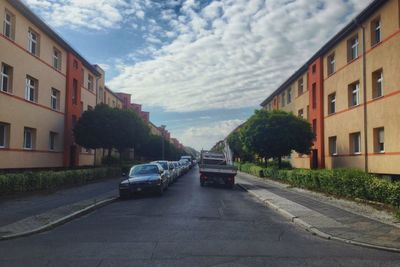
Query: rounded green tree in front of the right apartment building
<point x="276" y="134"/>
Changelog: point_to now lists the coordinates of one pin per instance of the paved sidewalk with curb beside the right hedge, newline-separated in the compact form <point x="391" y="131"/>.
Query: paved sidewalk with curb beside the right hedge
<point x="320" y="217"/>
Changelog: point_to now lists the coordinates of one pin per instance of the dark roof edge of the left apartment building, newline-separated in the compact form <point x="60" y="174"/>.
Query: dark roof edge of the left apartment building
<point x="38" y="22"/>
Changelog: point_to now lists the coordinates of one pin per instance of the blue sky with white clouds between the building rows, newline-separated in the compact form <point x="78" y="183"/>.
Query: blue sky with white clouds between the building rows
<point x="201" y="67"/>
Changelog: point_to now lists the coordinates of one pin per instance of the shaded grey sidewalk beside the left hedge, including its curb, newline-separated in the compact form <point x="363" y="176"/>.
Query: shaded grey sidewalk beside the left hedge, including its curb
<point x="27" y="215"/>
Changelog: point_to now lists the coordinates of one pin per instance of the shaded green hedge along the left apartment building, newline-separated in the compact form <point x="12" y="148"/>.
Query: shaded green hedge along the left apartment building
<point x="51" y="180"/>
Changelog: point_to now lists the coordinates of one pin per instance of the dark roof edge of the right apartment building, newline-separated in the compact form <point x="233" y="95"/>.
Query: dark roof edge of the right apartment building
<point x="350" y="27"/>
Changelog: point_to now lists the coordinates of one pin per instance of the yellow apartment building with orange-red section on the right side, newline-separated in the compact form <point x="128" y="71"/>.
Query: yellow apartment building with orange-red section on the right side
<point x="349" y="92"/>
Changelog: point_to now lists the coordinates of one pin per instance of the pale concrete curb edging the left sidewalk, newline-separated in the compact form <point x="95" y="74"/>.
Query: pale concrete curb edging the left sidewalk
<point x="62" y="220"/>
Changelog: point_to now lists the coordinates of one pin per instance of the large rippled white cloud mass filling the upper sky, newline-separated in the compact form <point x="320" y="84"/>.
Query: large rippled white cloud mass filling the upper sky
<point x="230" y="54"/>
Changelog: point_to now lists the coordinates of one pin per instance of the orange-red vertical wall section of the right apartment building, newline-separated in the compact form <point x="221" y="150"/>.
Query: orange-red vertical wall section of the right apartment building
<point x="317" y="112"/>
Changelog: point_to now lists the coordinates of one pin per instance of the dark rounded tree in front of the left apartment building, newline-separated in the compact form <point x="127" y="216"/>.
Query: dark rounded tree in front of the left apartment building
<point x="109" y="128"/>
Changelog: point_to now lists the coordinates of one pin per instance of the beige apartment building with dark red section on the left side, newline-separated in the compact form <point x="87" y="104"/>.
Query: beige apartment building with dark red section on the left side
<point x="45" y="86"/>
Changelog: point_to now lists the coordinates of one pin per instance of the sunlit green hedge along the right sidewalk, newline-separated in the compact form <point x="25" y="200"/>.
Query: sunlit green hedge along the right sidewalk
<point x="349" y="183"/>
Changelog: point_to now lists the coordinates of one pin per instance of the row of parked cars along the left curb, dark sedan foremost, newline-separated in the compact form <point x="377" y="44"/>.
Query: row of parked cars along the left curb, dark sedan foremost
<point x="155" y="176"/>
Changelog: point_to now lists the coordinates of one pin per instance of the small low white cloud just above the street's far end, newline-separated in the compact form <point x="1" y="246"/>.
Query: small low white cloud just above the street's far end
<point x="204" y="137"/>
